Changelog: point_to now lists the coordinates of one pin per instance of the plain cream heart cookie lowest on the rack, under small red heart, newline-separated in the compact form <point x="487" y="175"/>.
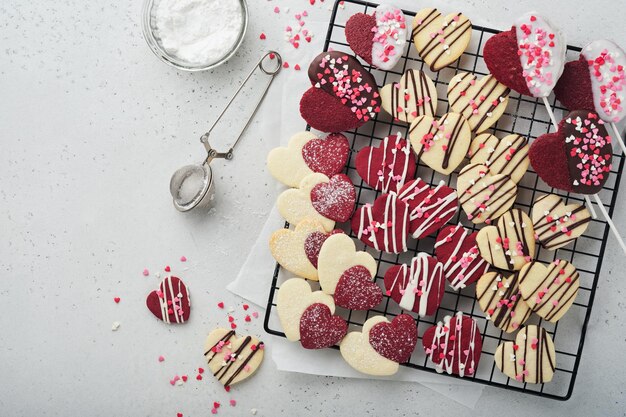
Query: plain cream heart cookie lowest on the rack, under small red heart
<point x="357" y="351"/>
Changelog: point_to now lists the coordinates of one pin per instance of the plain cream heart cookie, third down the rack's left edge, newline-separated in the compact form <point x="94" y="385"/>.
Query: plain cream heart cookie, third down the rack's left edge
<point x="289" y="248"/>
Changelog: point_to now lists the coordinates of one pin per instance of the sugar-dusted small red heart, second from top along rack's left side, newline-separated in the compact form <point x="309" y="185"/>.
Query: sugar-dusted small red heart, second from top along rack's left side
<point x="334" y="199"/>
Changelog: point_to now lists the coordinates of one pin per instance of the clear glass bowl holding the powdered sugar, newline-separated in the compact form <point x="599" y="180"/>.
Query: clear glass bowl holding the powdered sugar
<point x="149" y="34"/>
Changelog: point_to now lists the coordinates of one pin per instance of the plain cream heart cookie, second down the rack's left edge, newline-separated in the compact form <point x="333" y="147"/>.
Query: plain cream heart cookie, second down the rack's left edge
<point x="295" y="204"/>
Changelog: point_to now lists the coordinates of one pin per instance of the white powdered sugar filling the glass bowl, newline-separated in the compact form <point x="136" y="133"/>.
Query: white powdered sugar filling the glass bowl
<point x="194" y="35"/>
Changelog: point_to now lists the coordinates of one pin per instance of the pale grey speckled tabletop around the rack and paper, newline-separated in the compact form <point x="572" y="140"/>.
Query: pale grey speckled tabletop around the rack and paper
<point x="92" y="126"/>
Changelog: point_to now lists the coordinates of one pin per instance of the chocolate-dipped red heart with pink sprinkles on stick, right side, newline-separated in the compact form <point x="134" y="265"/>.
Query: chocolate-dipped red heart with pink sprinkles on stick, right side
<point x="576" y="158"/>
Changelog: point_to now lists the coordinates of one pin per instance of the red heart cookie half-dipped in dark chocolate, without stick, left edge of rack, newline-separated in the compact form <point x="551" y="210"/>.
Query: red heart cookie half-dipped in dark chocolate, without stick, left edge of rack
<point x="344" y="95"/>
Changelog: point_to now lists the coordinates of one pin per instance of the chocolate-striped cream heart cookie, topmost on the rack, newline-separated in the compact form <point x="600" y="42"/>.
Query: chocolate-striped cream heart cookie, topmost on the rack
<point x="440" y="40"/>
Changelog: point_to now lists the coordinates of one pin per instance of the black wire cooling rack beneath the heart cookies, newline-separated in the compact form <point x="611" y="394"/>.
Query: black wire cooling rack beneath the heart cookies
<point x="525" y="116"/>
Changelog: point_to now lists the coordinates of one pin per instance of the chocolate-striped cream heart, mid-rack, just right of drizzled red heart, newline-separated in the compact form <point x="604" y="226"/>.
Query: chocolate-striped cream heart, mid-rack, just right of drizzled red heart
<point x="483" y="196"/>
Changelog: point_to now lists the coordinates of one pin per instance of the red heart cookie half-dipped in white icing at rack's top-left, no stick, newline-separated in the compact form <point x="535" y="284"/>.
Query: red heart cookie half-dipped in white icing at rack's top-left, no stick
<point x="379" y="39"/>
